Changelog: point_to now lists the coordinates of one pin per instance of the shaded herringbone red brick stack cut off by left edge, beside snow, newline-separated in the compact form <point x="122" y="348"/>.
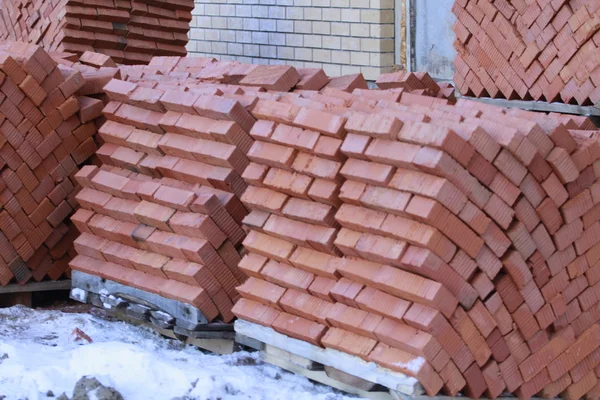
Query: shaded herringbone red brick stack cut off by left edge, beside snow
<point x="46" y="131"/>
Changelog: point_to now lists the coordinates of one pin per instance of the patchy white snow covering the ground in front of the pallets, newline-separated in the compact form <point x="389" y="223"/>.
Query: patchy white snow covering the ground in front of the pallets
<point x="38" y="353"/>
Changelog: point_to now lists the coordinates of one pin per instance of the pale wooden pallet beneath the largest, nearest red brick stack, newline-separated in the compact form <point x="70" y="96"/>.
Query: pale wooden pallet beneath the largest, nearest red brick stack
<point x="330" y="367"/>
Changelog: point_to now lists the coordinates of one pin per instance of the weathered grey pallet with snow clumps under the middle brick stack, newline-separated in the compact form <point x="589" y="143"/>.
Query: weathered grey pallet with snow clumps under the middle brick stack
<point x="168" y="317"/>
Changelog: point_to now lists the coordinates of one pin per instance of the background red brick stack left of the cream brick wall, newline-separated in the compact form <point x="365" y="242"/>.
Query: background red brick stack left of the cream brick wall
<point x="129" y="31"/>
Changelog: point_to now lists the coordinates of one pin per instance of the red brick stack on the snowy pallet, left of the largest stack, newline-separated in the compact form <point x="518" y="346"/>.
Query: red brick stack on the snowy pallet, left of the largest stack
<point x="163" y="211"/>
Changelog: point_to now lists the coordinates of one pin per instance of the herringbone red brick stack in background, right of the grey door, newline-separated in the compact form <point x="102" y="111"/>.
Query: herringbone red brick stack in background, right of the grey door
<point x="540" y="50"/>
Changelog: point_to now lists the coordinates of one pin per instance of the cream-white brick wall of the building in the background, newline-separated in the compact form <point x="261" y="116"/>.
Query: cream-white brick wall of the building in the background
<point x="340" y="36"/>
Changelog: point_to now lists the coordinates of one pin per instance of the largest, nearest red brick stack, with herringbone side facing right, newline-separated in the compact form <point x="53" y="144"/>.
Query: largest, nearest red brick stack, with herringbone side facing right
<point x="457" y="244"/>
